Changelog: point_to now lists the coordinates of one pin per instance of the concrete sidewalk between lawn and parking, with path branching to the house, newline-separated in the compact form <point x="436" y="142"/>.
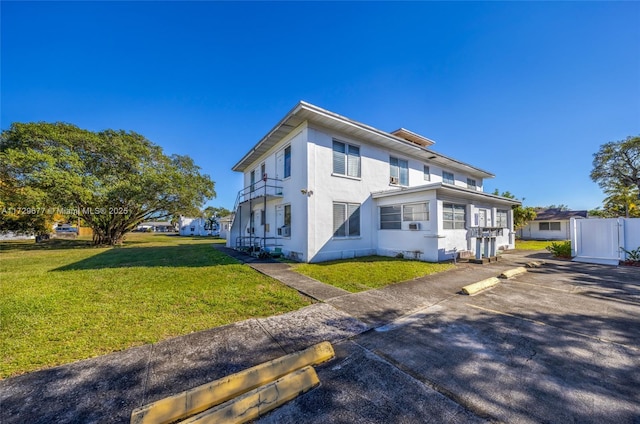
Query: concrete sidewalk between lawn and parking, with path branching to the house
<point x="108" y="388"/>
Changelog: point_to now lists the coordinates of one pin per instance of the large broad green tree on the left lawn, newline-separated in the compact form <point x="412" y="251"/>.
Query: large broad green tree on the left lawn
<point x="112" y="179"/>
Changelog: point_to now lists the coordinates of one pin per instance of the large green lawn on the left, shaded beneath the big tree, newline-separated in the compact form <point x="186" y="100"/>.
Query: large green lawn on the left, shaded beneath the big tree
<point x="65" y="300"/>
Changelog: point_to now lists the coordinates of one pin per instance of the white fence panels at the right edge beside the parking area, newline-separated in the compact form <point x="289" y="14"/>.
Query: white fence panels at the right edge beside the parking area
<point x="600" y="241"/>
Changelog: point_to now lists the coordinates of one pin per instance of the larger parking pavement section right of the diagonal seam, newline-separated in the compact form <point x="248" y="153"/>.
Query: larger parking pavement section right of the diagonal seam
<point x="538" y="348"/>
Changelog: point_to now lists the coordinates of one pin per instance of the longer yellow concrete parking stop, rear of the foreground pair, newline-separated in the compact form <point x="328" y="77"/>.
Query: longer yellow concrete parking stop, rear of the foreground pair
<point x="208" y="395"/>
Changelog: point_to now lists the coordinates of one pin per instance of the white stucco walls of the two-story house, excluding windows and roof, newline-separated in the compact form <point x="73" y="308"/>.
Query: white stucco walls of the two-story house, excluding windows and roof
<point x="312" y="237"/>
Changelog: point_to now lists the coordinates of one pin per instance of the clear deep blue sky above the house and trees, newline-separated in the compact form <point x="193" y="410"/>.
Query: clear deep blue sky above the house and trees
<point x="527" y="91"/>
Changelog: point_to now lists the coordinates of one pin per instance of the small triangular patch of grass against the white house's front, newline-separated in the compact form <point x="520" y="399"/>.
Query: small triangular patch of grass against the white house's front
<point x="370" y="272"/>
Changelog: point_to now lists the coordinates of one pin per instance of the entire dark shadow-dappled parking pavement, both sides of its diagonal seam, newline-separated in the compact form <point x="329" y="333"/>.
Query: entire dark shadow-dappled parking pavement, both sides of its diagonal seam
<point x="558" y="344"/>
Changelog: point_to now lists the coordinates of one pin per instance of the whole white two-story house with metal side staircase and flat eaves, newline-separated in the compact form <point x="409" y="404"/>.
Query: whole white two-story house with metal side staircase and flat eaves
<point x="320" y="186"/>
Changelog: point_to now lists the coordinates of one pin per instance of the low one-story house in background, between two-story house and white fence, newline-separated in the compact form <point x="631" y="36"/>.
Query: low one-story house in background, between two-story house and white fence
<point x="550" y="224"/>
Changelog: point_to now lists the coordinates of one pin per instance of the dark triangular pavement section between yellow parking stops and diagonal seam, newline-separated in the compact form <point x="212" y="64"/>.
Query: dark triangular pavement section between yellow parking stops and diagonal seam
<point x="360" y="387"/>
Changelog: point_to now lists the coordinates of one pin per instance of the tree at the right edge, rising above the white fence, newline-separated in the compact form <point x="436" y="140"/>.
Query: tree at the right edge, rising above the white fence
<point x="617" y="164"/>
